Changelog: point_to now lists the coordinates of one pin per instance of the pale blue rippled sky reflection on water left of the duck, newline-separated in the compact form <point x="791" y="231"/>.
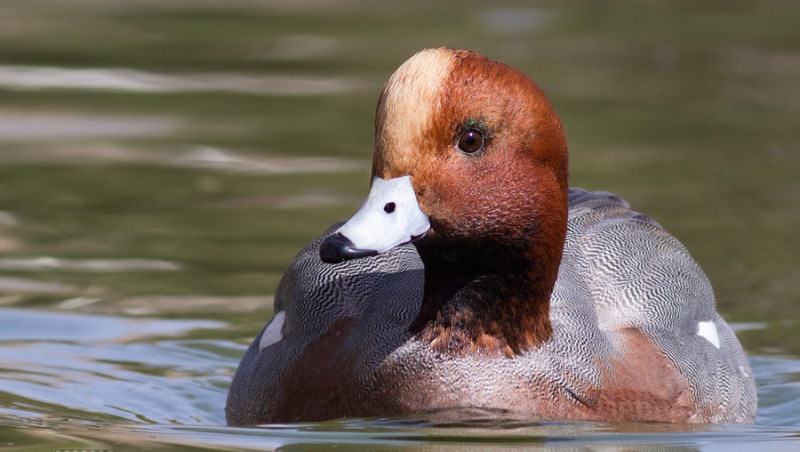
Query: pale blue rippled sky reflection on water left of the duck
<point x="113" y="367"/>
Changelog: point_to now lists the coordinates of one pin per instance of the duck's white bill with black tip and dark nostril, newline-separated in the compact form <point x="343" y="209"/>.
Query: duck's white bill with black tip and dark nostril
<point x="390" y="217"/>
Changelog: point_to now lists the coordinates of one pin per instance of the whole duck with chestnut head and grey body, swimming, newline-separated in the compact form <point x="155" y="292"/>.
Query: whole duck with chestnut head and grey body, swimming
<point x="474" y="278"/>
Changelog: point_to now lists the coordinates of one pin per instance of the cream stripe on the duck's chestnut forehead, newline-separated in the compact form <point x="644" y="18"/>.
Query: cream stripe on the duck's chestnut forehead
<point x="411" y="97"/>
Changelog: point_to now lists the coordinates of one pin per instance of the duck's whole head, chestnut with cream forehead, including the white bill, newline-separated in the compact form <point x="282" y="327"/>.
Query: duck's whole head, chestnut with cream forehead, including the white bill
<point x="468" y="153"/>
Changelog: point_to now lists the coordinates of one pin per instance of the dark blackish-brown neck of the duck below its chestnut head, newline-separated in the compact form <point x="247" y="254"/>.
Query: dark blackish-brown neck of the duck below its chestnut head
<point x="485" y="299"/>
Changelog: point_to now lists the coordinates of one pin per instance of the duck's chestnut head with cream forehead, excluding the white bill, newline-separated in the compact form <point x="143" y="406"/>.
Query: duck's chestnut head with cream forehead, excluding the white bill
<point x="484" y="148"/>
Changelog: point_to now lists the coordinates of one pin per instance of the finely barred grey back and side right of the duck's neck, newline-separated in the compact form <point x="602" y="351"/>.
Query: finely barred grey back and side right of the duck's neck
<point x="641" y="281"/>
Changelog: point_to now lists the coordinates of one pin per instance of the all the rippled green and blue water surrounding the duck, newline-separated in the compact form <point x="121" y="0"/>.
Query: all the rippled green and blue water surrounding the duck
<point x="160" y="164"/>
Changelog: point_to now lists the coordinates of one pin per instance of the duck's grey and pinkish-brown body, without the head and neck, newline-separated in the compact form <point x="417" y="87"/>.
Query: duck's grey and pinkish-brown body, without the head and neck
<point x="630" y="305"/>
